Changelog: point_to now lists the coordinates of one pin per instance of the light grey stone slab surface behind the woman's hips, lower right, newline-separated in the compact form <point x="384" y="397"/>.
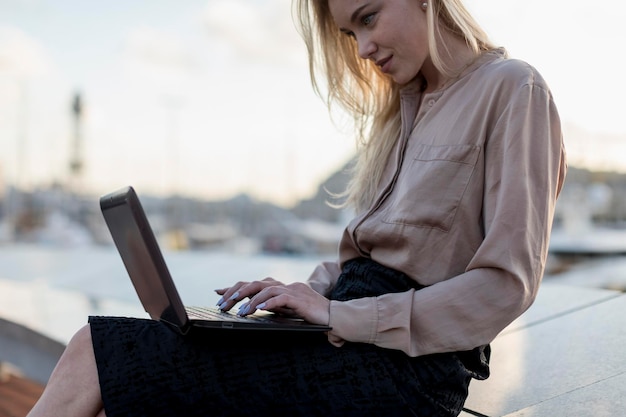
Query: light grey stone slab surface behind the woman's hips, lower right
<point x="563" y="357"/>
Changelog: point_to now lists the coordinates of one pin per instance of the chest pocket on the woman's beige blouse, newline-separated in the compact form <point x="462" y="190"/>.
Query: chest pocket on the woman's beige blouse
<point x="428" y="192"/>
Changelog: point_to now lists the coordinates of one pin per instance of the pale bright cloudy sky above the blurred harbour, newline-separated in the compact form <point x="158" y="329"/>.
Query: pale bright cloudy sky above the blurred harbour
<point x="212" y="98"/>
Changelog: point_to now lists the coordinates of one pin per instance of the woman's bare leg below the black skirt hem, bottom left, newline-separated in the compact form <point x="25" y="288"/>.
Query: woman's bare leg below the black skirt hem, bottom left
<point x="73" y="388"/>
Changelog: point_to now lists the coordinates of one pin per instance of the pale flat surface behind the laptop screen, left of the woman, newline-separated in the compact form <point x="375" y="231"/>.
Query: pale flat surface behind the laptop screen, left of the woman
<point x="52" y="290"/>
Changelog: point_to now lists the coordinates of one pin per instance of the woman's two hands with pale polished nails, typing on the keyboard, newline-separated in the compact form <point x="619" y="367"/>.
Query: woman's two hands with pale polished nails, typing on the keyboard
<point x="296" y="299"/>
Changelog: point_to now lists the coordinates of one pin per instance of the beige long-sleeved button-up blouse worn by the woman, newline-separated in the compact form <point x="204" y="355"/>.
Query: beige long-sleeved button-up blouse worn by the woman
<point x="465" y="207"/>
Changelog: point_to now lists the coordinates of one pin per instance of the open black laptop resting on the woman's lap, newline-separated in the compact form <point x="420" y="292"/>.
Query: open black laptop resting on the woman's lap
<point x="144" y="262"/>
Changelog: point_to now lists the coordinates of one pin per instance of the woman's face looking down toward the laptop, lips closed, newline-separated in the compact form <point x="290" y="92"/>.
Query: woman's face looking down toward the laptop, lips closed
<point x="391" y="33"/>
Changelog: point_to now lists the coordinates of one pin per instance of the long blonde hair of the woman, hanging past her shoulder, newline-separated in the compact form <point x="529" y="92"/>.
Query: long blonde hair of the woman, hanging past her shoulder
<point x="358" y="86"/>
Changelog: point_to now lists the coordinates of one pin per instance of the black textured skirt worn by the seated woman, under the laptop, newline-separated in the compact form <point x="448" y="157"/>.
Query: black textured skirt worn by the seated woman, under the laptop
<point x="146" y="369"/>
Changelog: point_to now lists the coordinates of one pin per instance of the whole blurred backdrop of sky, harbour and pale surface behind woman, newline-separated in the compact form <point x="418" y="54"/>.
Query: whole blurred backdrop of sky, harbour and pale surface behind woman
<point x="206" y="108"/>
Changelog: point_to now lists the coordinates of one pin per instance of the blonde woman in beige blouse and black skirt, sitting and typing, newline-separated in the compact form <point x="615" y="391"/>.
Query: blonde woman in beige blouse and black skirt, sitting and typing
<point x="454" y="189"/>
